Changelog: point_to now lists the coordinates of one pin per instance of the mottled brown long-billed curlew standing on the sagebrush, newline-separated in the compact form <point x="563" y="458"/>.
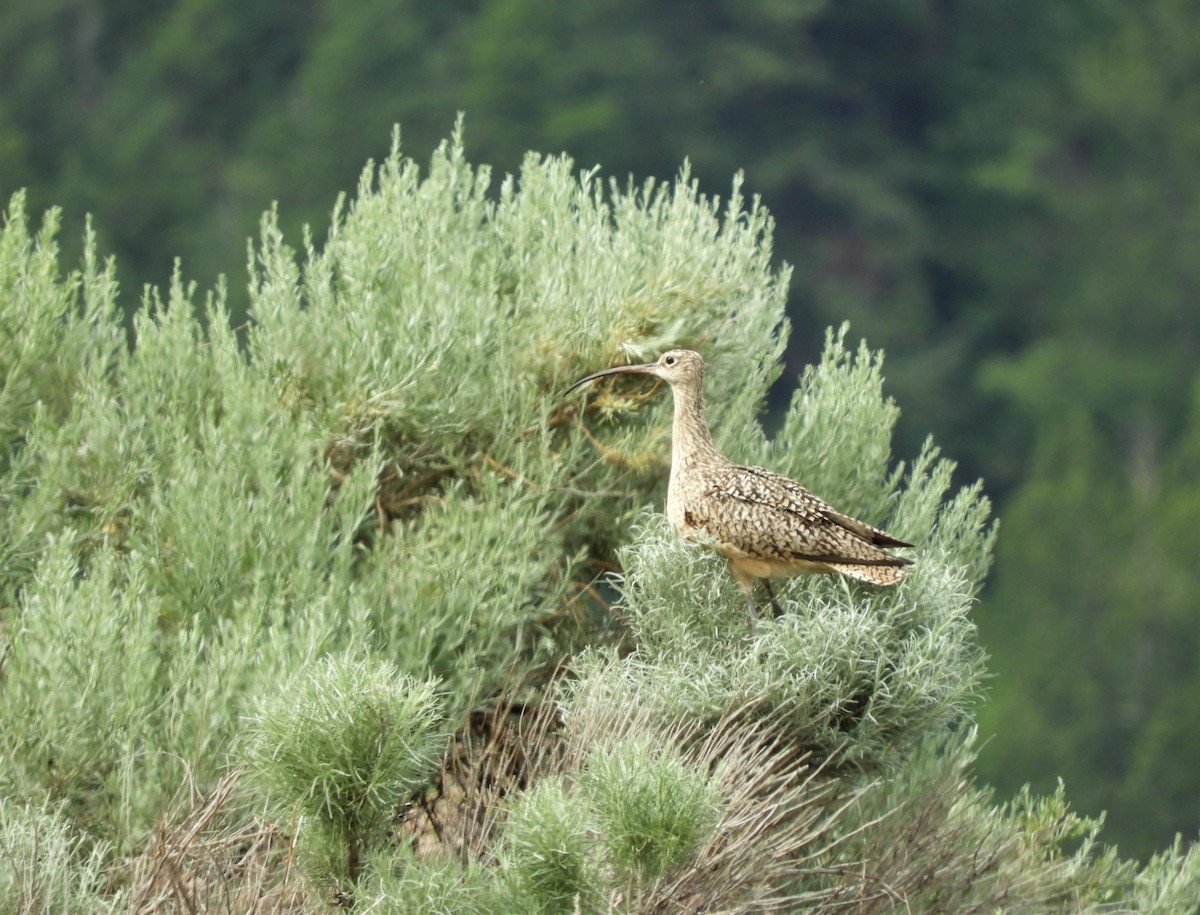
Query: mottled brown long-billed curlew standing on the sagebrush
<point x="766" y="525"/>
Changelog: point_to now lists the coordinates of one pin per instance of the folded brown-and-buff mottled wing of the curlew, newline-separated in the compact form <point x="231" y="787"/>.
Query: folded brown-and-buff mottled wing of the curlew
<point x="770" y="517"/>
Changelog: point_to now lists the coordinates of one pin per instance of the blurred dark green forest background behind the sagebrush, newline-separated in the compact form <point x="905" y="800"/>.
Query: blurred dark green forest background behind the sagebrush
<point x="1006" y="198"/>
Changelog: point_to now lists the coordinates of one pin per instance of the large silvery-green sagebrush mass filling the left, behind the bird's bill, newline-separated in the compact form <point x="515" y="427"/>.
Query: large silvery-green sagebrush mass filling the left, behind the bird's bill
<point x="377" y="462"/>
